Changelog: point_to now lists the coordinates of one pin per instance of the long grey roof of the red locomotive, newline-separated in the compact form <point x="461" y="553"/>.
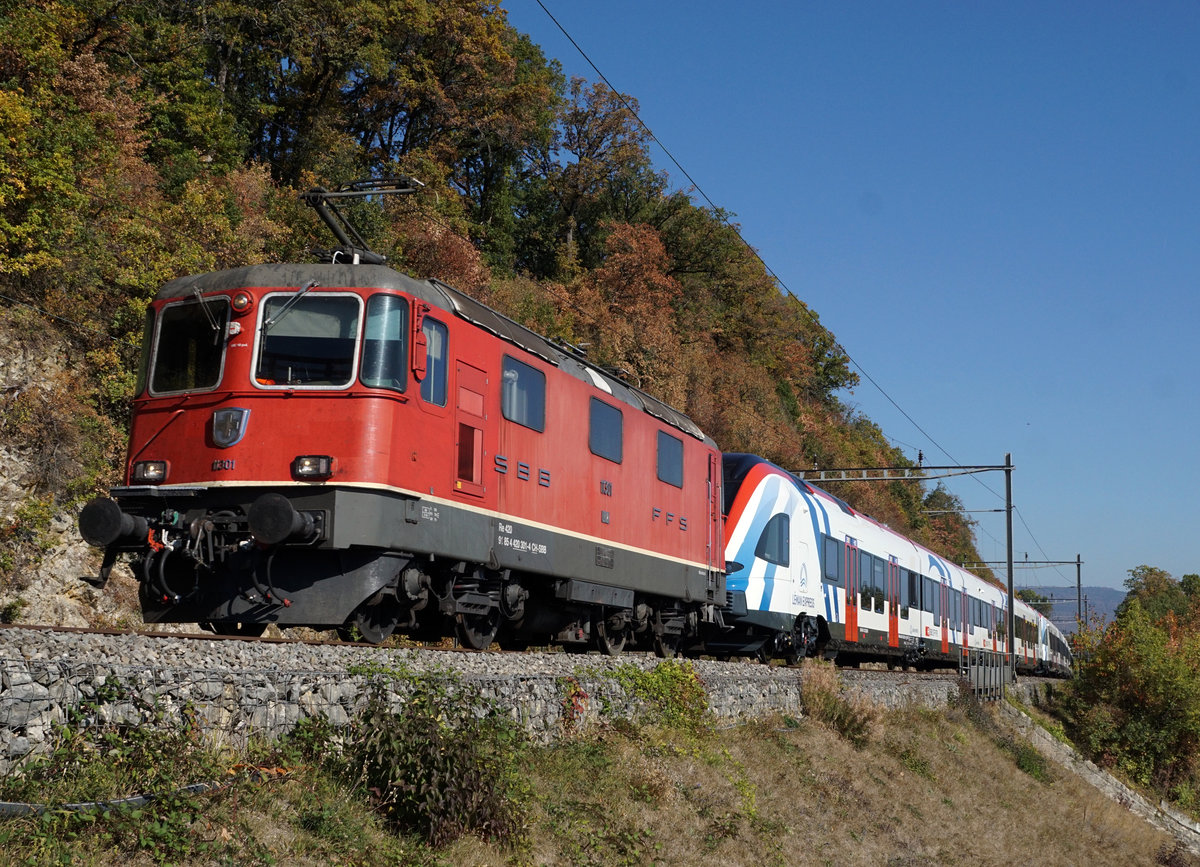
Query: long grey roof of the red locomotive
<point x="439" y="295"/>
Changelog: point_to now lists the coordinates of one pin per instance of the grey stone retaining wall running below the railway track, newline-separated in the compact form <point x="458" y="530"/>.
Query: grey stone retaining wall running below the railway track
<point x="237" y="690"/>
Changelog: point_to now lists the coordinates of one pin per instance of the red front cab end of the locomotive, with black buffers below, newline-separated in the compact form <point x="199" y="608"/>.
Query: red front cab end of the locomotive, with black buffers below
<point x="256" y="387"/>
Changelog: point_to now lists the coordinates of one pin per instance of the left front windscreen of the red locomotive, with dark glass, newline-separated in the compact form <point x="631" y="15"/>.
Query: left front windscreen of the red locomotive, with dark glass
<point x="190" y="349"/>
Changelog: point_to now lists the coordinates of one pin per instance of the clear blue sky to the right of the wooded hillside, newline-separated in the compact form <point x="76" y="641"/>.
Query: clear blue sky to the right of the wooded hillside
<point x="995" y="207"/>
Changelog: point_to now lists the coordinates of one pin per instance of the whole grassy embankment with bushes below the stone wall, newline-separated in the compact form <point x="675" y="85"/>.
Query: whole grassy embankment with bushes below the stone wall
<point x="845" y="785"/>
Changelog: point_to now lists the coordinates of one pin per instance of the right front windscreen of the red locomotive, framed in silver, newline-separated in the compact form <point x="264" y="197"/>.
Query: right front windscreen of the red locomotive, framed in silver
<point x="310" y="340"/>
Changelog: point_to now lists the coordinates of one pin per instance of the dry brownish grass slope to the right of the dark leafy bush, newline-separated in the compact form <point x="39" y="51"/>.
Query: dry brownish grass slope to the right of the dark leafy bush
<point x="926" y="790"/>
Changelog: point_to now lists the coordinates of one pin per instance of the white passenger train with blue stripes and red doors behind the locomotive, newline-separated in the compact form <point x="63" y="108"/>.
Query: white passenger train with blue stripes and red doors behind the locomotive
<point x="877" y="596"/>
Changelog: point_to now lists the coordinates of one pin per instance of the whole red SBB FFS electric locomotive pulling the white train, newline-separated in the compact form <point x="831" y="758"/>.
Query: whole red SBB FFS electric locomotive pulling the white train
<point x="307" y="439"/>
